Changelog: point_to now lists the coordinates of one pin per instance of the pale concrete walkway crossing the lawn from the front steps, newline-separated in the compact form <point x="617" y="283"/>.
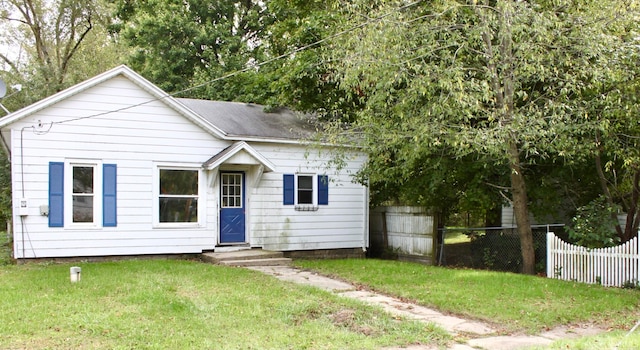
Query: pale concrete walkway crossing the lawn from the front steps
<point x="475" y="335"/>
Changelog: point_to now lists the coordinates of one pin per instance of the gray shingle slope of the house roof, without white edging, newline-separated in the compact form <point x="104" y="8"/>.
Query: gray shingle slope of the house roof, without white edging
<point x="250" y="120"/>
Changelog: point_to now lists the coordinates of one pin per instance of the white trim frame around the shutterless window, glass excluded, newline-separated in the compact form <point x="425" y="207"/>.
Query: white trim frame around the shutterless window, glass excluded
<point x="201" y="197"/>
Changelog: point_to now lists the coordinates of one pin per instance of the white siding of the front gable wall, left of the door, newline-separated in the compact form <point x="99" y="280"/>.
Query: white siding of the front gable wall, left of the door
<point x="135" y="139"/>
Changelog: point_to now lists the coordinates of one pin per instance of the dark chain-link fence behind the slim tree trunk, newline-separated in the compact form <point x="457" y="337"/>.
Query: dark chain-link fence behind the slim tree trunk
<point x="492" y="248"/>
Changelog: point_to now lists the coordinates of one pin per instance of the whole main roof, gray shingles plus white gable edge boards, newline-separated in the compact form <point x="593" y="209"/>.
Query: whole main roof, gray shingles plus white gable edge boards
<point x="226" y="120"/>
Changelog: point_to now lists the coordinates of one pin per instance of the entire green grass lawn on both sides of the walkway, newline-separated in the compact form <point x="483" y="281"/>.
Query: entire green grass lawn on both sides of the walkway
<point x="159" y="304"/>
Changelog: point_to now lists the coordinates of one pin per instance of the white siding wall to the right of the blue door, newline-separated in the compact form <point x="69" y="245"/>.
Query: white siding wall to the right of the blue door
<point x="337" y="225"/>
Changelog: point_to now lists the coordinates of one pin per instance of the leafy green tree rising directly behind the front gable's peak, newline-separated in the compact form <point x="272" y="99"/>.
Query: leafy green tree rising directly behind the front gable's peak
<point x="181" y="44"/>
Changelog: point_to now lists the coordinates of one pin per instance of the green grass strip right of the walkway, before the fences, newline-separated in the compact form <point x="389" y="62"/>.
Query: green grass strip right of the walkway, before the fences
<point x="512" y="302"/>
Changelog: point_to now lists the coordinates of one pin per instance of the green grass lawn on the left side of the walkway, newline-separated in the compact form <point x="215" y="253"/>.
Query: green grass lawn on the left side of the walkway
<point x="172" y="304"/>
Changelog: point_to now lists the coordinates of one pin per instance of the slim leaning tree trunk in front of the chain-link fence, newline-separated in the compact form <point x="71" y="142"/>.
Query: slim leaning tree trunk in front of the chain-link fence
<point x="521" y="211"/>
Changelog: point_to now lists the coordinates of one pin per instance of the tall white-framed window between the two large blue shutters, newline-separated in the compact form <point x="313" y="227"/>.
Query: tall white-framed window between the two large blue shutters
<point x="83" y="194"/>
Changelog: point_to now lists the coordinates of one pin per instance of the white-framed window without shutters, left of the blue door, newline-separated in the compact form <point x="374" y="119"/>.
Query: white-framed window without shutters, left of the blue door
<point x="178" y="196"/>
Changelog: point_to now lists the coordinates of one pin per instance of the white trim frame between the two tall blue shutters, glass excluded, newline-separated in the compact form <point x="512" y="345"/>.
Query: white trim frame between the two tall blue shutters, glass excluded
<point x="97" y="193"/>
